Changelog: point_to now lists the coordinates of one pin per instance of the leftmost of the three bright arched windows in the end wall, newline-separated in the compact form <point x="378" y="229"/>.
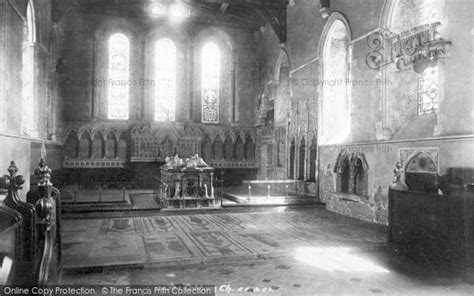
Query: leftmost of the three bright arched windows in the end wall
<point x="119" y="72"/>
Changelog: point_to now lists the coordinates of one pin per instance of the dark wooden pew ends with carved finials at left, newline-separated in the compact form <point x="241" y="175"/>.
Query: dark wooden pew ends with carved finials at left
<point x="37" y="260"/>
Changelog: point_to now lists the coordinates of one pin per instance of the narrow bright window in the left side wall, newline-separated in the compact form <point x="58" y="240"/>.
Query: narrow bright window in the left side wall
<point x="28" y="72"/>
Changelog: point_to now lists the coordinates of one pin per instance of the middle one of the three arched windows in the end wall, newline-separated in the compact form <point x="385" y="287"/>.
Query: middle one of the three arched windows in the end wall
<point x="165" y="80"/>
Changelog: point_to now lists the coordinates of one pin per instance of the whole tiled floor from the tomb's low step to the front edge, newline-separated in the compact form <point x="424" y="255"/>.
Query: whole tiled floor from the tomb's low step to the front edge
<point x="296" y="252"/>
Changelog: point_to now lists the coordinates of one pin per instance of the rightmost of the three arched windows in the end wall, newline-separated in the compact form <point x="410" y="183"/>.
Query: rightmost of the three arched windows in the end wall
<point x="210" y="76"/>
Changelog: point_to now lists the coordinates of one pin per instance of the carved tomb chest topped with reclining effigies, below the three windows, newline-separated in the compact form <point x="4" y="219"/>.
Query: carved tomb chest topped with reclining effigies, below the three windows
<point x="188" y="183"/>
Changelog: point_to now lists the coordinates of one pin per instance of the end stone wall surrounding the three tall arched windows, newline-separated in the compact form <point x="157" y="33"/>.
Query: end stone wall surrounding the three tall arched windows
<point x="84" y="84"/>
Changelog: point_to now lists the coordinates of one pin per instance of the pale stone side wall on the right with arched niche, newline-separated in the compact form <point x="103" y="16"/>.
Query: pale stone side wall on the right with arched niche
<point x="383" y="107"/>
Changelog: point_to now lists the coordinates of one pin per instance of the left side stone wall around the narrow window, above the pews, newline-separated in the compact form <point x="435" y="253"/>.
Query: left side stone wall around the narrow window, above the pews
<point x="16" y="144"/>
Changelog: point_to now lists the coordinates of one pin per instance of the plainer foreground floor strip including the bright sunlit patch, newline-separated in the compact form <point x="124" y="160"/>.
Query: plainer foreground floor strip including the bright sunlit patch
<point x="291" y="276"/>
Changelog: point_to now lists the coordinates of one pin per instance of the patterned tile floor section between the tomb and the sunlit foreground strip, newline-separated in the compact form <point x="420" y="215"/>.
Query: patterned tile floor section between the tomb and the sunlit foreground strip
<point x="198" y="238"/>
